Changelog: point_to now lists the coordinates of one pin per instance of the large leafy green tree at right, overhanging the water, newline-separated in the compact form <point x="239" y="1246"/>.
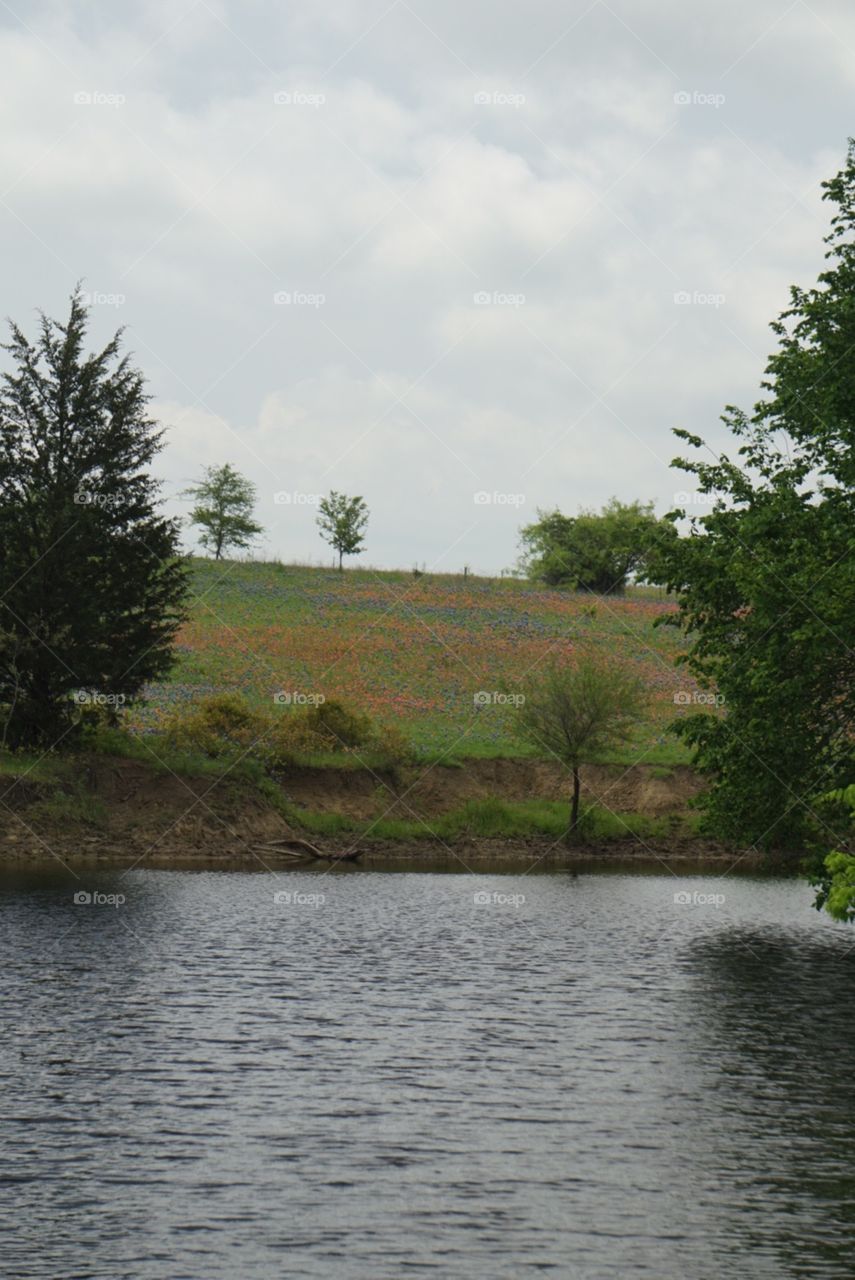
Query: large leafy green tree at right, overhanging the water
<point x="766" y="582"/>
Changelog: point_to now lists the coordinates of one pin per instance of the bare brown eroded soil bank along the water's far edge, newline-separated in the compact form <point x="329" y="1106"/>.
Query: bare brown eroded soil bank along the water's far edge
<point x="125" y="812"/>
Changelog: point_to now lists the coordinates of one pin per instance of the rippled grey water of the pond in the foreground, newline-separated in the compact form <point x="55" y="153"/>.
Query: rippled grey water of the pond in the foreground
<point x="386" y="1078"/>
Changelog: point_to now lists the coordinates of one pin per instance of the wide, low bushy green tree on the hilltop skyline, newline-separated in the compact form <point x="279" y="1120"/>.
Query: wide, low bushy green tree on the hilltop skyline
<point x="593" y="552"/>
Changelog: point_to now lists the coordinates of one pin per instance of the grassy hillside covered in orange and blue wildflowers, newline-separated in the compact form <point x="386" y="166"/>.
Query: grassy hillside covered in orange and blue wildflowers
<point x="409" y="651"/>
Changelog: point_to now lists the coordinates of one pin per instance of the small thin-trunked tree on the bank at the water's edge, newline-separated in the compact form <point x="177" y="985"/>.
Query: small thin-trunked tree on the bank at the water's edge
<point x="575" y="714"/>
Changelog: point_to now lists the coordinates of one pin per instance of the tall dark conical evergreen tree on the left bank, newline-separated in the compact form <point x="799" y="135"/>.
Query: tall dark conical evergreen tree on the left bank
<point x="92" y="582"/>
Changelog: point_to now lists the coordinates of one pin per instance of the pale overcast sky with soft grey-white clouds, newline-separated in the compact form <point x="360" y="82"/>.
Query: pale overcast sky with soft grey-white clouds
<point x="467" y="260"/>
